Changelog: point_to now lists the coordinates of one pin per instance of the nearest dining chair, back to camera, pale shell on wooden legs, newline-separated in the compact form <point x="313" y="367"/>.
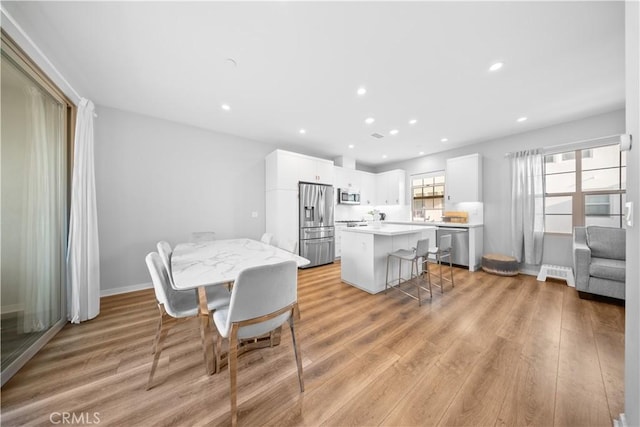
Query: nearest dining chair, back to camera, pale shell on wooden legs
<point x="262" y="299"/>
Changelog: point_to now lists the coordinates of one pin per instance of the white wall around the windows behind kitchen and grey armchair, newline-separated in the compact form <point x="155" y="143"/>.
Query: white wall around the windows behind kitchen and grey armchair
<point x="496" y="178"/>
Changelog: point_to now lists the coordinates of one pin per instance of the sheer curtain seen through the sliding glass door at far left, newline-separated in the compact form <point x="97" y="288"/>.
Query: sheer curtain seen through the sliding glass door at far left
<point x="43" y="225"/>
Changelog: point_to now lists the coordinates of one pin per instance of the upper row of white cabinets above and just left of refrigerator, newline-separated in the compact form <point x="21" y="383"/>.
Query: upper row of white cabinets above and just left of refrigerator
<point x="285" y="169"/>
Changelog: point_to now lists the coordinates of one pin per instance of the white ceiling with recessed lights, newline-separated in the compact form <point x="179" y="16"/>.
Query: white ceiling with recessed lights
<point x="299" y="65"/>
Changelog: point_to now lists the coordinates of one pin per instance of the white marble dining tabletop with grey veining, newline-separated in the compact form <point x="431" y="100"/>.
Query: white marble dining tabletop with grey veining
<point x="220" y="261"/>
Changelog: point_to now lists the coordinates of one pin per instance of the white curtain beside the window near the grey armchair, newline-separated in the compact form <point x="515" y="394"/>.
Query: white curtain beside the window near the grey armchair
<point x="527" y="206"/>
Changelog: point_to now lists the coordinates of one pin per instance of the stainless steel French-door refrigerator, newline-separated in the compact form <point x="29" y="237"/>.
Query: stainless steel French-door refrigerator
<point x="317" y="242"/>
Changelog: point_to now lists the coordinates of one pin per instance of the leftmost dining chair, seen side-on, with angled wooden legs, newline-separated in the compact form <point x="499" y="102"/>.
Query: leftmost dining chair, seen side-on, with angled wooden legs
<point x="173" y="304"/>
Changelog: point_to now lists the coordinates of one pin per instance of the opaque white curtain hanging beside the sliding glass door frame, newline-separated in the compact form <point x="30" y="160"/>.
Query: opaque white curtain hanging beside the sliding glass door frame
<point x="83" y="257"/>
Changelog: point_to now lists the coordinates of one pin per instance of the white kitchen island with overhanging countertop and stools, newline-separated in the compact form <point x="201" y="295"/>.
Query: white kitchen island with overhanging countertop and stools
<point x="365" y="249"/>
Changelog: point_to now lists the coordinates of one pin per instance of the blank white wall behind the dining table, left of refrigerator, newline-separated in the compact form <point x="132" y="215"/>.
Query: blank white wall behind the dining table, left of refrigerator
<point x="159" y="180"/>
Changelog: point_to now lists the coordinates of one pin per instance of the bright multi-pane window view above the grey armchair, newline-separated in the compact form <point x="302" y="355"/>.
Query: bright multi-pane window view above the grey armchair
<point x="585" y="187"/>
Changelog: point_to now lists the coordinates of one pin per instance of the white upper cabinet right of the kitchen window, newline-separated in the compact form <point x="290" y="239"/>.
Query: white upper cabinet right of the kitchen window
<point x="463" y="179"/>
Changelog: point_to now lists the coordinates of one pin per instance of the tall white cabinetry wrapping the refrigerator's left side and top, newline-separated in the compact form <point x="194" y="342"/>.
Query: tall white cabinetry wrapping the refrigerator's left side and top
<point x="283" y="171"/>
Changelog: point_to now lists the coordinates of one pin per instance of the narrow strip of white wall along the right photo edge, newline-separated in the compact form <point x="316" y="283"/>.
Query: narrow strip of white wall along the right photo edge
<point x="632" y="320"/>
